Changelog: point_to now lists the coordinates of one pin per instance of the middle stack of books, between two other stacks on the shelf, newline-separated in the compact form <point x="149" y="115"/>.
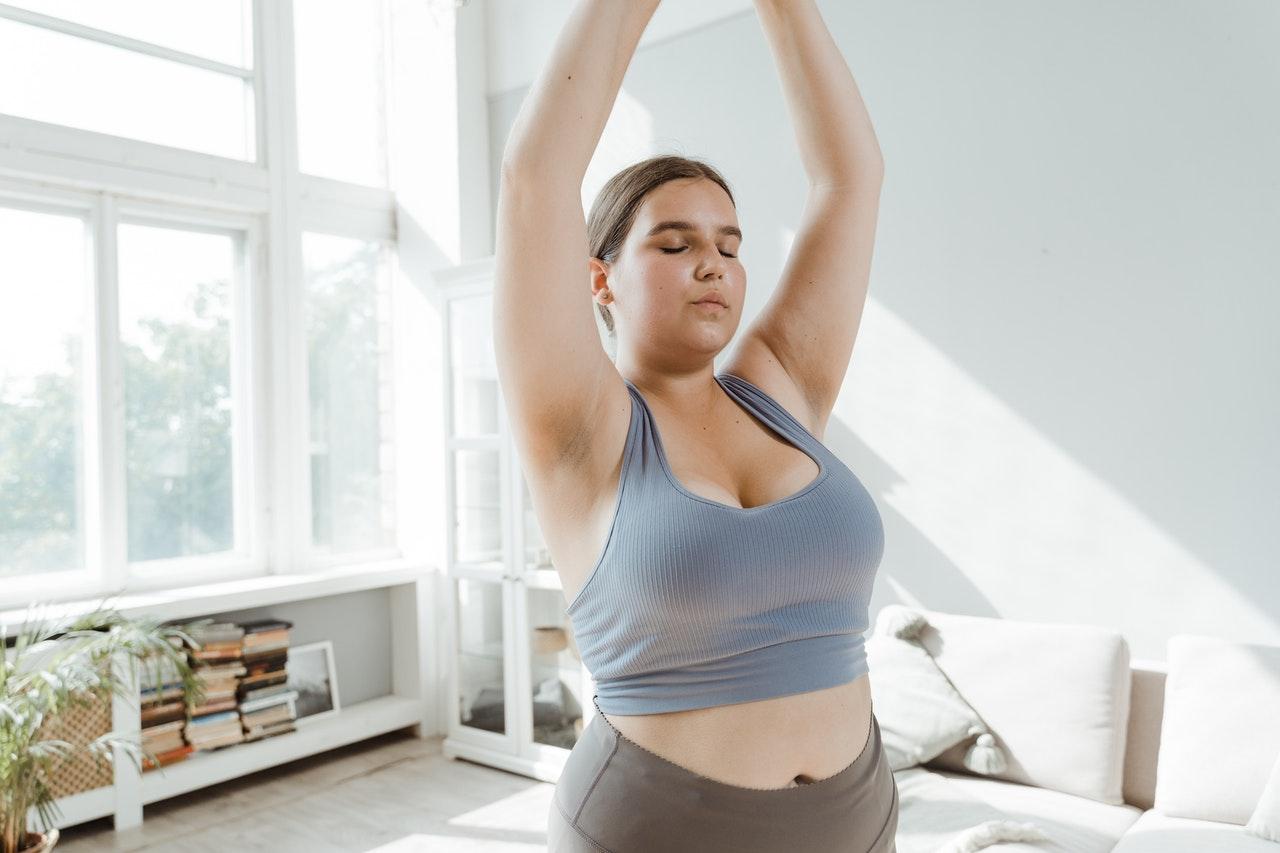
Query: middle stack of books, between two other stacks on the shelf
<point x="218" y="665"/>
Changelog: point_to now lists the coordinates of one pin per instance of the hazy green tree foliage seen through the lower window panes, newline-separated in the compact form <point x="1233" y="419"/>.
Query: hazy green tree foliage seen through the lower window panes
<point x="179" y="413"/>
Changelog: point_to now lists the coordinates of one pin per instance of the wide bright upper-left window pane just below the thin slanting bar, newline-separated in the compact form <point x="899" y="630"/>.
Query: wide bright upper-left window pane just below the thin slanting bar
<point x="53" y="77"/>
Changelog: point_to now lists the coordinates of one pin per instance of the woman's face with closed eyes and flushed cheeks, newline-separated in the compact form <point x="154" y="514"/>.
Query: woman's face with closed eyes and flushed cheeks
<point x="662" y="272"/>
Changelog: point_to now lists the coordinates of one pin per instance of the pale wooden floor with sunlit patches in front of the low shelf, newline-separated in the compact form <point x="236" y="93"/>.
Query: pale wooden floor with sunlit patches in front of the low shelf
<point x="388" y="795"/>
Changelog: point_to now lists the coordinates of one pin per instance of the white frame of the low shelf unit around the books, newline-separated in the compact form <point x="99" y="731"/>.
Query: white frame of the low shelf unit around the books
<point x="410" y="603"/>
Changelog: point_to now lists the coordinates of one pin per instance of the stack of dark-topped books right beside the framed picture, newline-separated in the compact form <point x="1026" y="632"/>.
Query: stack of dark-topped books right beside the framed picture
<point x="267" y="705"/>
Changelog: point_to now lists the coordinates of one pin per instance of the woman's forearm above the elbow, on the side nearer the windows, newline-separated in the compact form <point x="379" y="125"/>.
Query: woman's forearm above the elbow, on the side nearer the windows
<point x="564" y="116"/>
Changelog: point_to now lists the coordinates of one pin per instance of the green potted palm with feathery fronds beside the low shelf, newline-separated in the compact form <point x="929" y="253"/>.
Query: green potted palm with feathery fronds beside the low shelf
<point x="54" y="667"/>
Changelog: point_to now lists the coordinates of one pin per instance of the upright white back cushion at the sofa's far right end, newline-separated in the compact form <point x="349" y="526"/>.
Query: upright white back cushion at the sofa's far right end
<point x="1219" y="737"/>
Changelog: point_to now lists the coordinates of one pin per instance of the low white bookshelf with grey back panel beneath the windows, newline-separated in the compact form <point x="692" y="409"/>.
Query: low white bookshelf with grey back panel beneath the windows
<point x="385" y="676"/>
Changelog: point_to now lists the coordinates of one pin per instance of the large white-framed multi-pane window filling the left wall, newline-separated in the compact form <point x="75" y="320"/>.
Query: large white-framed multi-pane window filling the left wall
<point x="196" y="254"/>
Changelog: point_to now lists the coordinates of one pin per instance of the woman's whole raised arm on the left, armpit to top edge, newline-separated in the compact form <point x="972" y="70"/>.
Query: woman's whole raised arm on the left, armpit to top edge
<point x="557" y="381"/>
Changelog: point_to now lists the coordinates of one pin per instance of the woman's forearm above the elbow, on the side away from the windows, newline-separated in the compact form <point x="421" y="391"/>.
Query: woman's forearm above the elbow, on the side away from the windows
<point x="838" y="143"/>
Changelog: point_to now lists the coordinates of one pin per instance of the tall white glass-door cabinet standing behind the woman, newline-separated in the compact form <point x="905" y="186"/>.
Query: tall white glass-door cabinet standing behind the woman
<point x="518" y="687"/>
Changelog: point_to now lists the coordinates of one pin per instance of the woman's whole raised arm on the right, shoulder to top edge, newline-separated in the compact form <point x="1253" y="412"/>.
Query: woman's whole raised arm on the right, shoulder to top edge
<point x="806" y="334"/>
